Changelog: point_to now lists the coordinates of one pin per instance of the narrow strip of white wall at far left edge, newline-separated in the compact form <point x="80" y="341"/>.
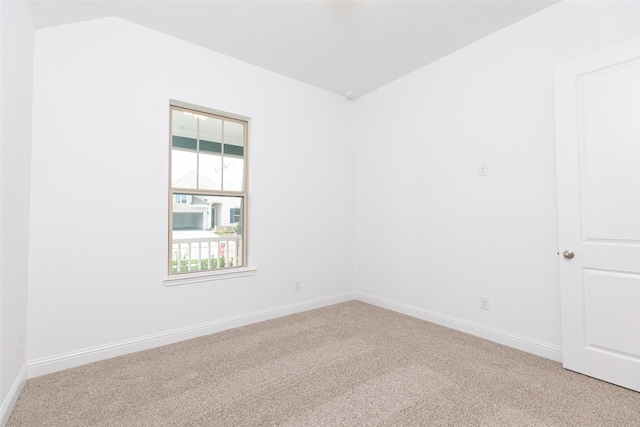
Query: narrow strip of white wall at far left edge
<point x="16" y="44"/>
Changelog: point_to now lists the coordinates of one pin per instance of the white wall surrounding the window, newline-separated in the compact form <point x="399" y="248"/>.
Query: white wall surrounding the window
<point x="99" y="190"/>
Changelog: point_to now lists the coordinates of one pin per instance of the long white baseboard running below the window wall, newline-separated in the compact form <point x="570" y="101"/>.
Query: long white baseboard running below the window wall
<point x="59" y="362"/>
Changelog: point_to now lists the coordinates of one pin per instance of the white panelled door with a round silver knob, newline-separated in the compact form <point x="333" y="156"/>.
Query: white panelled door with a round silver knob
<point x="598" y="166"/>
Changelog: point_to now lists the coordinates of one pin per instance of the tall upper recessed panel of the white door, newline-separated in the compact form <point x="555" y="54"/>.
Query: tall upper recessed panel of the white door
<point x="608" y="143"/>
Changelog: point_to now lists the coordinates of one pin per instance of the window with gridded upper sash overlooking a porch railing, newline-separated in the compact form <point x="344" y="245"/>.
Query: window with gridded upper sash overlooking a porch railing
<point x="208" y="175"/>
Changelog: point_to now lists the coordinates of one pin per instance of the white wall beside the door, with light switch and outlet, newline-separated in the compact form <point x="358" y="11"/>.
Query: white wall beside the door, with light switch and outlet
<point x="432" y="235"/>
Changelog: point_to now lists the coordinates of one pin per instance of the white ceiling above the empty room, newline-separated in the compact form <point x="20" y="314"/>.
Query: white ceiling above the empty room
<point x="334" y="45"/>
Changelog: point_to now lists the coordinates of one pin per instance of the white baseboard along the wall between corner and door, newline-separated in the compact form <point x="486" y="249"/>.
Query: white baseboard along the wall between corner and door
<point x="519" y="342"/>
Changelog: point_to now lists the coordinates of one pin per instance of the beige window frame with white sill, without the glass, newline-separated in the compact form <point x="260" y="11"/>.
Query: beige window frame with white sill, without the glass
<point x="182" y="278"/>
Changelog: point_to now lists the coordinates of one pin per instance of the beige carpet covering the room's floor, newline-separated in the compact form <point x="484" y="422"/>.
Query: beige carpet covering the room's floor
<point x="350" y="364"/>
